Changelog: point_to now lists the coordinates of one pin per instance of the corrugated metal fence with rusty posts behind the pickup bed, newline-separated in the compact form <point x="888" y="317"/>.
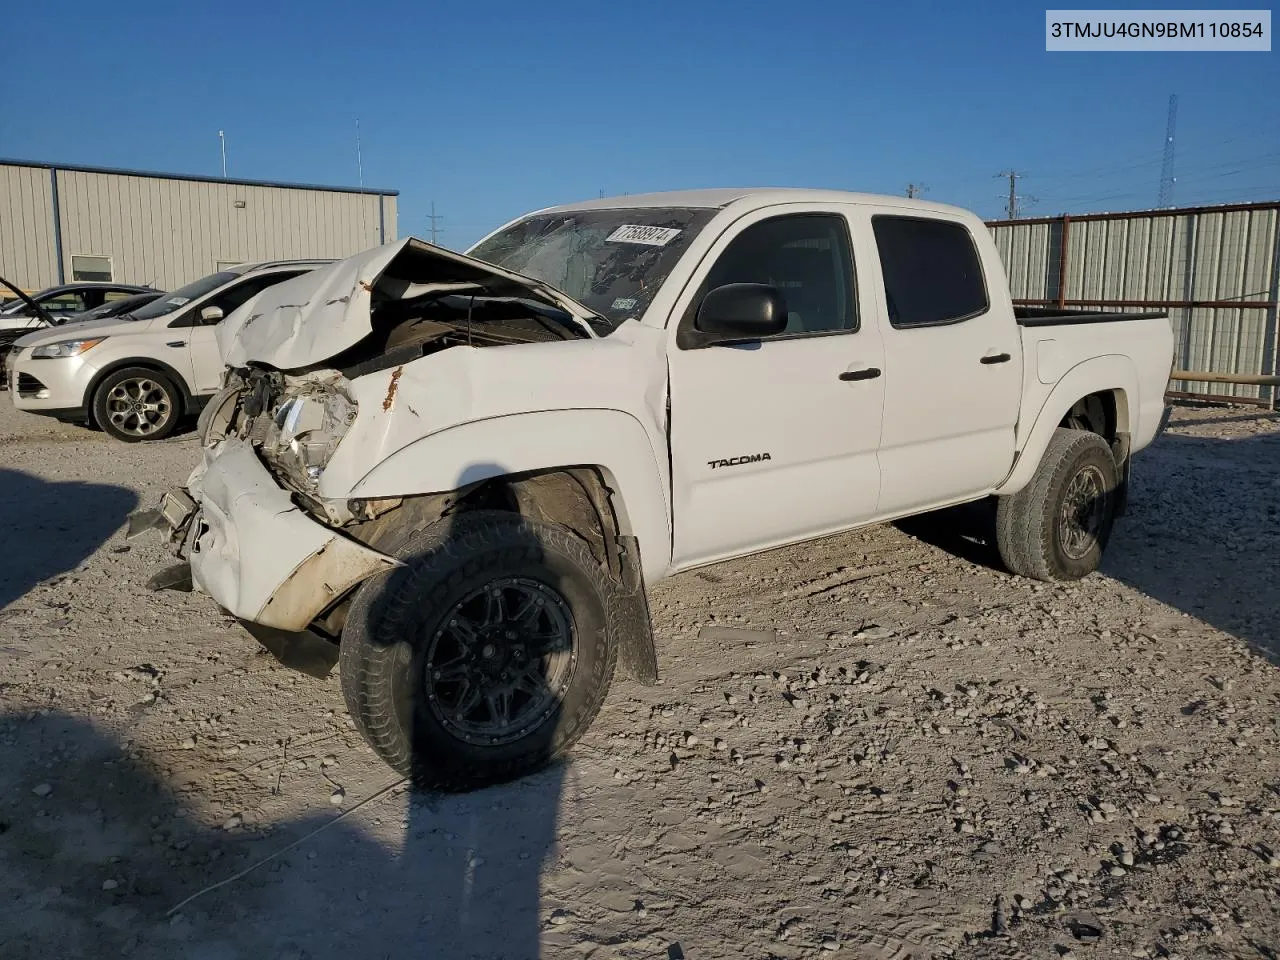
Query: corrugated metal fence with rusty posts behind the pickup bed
<point x="1215" y="271"/>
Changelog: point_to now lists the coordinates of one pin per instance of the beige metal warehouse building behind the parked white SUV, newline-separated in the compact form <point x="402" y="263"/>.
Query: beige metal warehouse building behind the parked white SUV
<point x="62" y="223"/>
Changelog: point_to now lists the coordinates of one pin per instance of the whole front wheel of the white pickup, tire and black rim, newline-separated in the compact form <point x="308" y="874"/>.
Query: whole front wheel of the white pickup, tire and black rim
<point x="486" y="656"/>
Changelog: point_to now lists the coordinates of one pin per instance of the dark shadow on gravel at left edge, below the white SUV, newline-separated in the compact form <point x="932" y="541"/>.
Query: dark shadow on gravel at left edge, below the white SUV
<point x="53" y="527"/>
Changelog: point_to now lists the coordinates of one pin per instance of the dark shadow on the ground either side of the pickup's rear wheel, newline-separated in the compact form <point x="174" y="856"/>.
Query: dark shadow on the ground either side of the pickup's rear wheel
<point x="1201" y="533"/>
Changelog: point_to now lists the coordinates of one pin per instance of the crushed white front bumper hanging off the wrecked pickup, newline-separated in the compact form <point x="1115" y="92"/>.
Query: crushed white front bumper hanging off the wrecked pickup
<point x="253" y="550"/>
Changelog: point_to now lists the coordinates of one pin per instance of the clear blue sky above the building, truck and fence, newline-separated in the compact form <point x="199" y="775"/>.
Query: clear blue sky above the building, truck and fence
<point x="492" y="109"/>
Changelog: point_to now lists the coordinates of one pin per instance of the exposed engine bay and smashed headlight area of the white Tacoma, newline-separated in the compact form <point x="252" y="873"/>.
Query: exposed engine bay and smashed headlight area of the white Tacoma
<point x="295" y="420"/>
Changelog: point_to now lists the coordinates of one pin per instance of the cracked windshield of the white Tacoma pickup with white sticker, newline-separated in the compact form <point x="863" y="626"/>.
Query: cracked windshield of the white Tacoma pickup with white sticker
<point x="612" y="262"/>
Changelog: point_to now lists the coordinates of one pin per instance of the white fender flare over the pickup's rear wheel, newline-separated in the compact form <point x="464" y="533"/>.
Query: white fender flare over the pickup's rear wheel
<point x="1112" y="373"/>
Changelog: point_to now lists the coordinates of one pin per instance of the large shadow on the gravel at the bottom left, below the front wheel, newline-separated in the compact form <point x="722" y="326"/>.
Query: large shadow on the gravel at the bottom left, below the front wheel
<point x="95" y="853"/>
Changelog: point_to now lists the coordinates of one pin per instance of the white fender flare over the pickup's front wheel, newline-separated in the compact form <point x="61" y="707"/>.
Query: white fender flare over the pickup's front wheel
<point x="612" y="441"/>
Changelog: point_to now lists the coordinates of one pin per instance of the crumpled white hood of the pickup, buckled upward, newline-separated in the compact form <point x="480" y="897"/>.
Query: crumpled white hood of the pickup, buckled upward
<point x="321" y="314"/>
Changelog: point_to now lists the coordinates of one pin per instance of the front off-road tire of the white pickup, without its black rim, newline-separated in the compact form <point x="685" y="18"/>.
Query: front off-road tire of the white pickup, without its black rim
<point x="395" y="616"/>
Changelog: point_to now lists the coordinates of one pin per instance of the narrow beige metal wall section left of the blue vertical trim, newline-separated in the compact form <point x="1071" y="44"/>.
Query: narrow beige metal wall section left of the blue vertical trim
<point x="28" y="227"/>
